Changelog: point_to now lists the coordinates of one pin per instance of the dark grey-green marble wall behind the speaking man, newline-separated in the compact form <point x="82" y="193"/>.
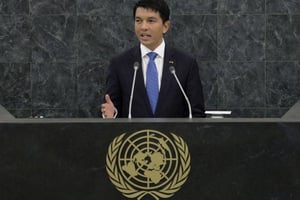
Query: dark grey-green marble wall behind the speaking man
<point x="54" y="53"/>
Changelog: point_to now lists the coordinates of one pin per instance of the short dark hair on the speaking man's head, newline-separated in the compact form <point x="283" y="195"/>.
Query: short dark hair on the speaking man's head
<point x="156" y="5"/>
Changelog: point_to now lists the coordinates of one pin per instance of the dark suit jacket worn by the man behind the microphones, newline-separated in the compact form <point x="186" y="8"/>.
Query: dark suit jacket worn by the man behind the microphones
<point x="171" y="102"/>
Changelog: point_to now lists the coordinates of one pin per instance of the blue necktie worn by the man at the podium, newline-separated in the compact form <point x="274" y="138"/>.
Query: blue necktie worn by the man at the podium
<point x="152" y="81"/>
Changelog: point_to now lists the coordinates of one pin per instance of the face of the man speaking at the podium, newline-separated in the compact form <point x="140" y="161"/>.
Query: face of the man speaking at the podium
<point x="149" y="27"/>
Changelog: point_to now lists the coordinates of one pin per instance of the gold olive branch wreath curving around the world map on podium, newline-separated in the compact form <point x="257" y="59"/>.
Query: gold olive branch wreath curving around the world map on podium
<point x="167" y="191"/>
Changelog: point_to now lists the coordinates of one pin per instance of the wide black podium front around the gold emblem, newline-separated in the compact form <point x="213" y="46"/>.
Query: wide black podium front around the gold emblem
<point x="229" y="158"/>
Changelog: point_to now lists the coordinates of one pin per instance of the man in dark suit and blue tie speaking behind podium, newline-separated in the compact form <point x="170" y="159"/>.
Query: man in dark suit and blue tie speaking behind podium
<point x="163" y="98"/>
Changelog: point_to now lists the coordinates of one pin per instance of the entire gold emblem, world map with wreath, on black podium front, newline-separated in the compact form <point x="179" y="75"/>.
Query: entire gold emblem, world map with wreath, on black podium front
<point x="148" y="162"/>
